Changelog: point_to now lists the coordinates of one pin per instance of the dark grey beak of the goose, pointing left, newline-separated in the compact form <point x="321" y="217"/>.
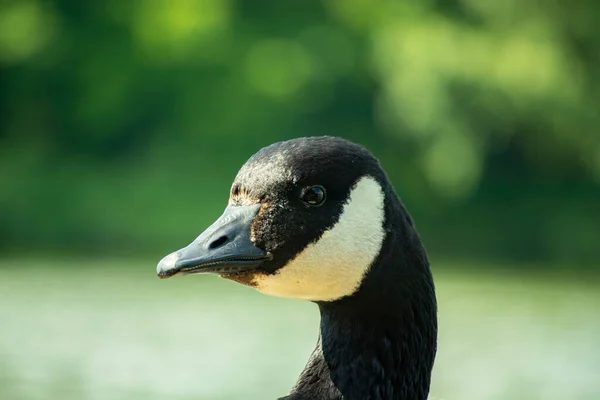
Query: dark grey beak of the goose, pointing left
<point x="224" y="248"/>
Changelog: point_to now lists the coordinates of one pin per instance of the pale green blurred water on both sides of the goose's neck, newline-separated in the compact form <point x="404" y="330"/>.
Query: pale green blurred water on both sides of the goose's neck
<point x="111" y="331"/>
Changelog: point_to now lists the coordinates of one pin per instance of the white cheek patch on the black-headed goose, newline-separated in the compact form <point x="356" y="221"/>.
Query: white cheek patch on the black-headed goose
<point x="334" y="266"/>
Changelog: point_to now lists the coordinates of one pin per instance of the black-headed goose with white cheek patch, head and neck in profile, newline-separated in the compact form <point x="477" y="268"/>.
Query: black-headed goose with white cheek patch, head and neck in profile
<point x="317" y="219"/>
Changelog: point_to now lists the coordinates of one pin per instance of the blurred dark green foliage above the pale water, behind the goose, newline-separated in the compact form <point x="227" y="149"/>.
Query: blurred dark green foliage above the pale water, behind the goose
<point x="124" y="122"/>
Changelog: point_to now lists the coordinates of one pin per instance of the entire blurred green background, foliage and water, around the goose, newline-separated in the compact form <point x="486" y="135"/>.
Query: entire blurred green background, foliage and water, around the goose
<point x="124" y="122"/>
